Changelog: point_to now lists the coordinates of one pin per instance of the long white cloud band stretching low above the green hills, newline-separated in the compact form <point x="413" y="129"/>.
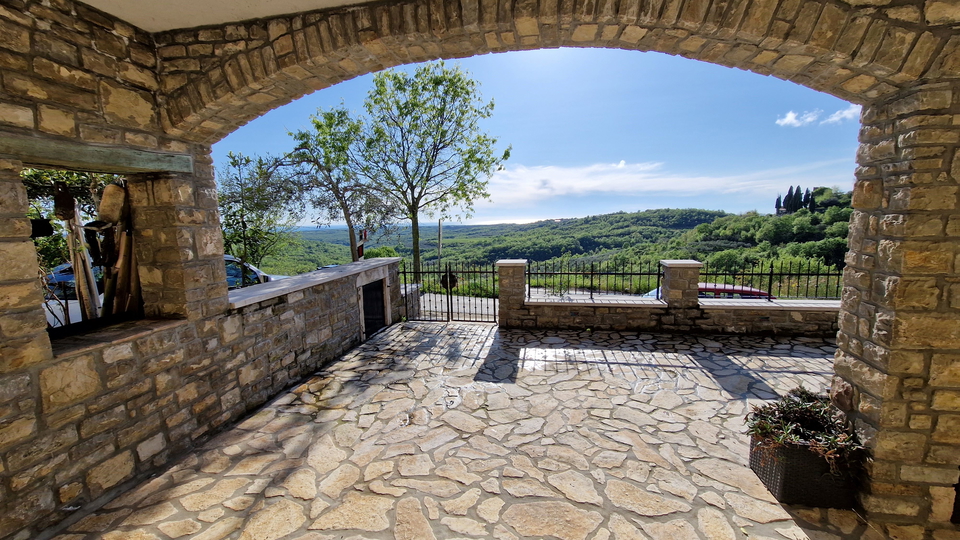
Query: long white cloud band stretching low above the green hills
<point x="518" y="185"/>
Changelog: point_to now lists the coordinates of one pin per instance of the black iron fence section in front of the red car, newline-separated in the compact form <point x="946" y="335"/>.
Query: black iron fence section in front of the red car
<point x="770" y="280"/>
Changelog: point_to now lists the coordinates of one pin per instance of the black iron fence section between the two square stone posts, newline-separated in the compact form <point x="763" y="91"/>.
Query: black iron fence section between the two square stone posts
<point x="573" y="279"/>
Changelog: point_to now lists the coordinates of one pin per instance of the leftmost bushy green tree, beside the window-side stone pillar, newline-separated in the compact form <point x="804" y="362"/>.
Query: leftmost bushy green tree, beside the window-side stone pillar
<point x="259" y="207"/>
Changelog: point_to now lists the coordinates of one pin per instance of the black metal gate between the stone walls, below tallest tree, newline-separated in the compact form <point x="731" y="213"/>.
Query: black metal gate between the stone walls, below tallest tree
<point x="450" y="292"/>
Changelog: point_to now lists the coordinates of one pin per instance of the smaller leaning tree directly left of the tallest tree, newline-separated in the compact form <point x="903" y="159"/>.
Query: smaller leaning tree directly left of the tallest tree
<point x="326" y="163"/>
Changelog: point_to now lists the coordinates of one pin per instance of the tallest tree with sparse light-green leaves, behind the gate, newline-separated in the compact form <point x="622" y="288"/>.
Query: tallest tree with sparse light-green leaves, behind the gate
<point x="424" y="148"/>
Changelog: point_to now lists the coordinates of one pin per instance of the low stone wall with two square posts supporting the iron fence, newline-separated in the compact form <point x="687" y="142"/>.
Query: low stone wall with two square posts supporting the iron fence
<point x="680" y="310"/>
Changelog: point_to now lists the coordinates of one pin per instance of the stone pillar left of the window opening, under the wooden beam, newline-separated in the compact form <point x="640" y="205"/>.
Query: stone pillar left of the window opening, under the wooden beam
<point x="23" y="324"/>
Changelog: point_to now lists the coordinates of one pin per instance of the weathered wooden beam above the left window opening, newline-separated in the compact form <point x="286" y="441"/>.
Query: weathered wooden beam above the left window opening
<point x="75" y="155"/>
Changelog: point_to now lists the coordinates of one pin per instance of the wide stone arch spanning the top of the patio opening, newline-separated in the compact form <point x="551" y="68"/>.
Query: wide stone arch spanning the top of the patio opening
<point x="216" y="79"/>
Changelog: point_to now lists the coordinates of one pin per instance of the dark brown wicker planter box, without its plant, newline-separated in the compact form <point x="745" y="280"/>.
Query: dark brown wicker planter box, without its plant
<point x="795" y="475"/>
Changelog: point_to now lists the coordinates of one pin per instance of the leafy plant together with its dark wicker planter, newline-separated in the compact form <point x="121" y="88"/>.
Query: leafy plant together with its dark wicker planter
<point x="804" y="452"/>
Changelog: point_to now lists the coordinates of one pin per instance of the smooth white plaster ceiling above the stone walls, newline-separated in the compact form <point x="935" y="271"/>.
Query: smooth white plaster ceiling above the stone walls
<point x="159" y="15"/>
